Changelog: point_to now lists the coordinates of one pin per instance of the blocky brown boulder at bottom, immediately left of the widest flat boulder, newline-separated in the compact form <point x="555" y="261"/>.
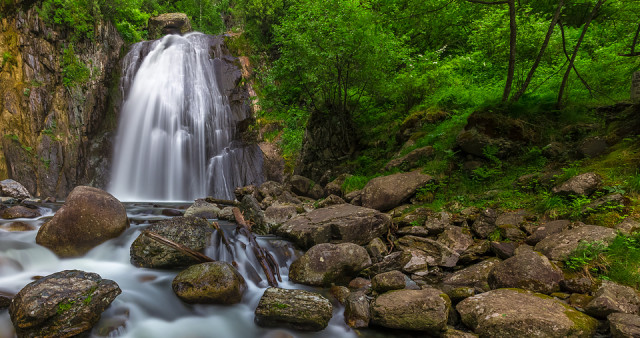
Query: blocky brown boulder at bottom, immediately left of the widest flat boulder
<point x="419" y="310"/>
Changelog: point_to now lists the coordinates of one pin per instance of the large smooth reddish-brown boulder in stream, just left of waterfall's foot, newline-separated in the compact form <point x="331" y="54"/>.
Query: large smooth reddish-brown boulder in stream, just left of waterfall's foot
<point x="88" y="217"/>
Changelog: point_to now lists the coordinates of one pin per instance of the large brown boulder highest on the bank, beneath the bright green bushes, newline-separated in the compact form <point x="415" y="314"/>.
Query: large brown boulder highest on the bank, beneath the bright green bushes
<point x="387" y="192"/>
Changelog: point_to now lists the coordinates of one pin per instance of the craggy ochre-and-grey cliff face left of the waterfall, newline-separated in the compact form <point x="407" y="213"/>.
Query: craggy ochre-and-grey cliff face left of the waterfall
<point x="54" y="137"/>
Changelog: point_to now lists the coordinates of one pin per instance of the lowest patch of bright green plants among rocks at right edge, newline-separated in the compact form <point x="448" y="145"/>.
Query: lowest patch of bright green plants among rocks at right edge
<point x="618" y="261"/>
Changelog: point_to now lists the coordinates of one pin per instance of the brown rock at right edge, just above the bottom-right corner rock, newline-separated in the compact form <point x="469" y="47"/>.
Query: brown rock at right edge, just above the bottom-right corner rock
<point x="612" y="297"/>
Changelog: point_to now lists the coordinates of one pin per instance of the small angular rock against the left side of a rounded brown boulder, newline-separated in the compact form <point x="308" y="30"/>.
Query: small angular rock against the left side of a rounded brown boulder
<point x="475" y="276"/>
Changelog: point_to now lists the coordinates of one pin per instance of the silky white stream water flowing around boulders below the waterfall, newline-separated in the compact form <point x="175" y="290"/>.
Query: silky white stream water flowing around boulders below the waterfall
<point x="147" y="306"/>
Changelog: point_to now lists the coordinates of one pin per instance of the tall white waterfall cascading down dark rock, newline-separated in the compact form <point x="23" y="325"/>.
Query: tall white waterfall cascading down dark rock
<point x="177" y="137"/>
